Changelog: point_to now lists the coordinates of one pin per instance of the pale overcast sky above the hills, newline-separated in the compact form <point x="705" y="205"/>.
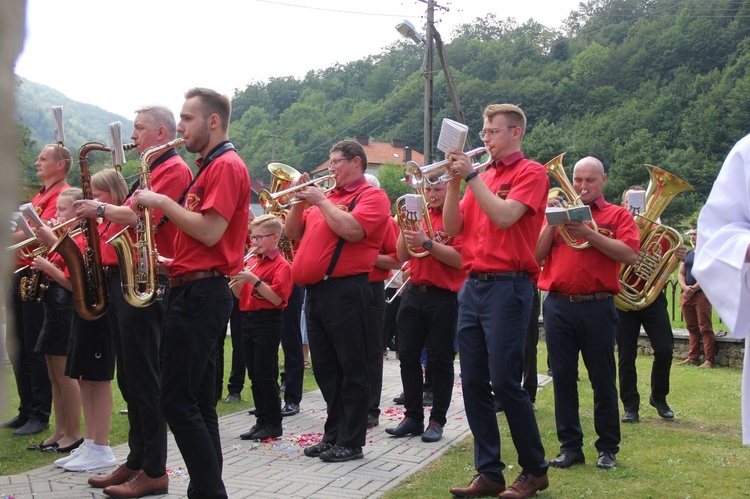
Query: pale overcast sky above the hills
<point x="120" y="55"/>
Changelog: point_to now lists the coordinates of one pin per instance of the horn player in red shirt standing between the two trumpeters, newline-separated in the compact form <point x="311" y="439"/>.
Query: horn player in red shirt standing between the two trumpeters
<point x="427" y="319"/>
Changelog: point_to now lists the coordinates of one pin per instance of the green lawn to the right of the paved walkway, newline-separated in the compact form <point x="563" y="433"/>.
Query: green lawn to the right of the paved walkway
<point x="699" y="454"/>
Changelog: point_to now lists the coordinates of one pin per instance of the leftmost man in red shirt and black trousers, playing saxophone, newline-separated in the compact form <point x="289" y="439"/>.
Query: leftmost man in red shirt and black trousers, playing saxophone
<point x="29" y="367"/>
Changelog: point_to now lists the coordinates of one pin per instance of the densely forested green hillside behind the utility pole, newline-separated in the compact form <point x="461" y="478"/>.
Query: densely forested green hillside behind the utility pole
<point x="664" y="82"/>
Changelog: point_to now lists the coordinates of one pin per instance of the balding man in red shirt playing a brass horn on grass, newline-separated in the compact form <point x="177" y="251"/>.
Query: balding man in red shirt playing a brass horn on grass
<point x="580" y="316"/>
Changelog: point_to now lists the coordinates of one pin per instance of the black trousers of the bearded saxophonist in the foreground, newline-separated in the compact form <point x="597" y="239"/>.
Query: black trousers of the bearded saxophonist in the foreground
<point x="198" y="313"/>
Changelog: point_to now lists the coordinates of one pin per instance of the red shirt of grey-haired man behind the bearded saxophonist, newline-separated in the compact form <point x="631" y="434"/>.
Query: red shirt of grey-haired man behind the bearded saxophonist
<point x="170" y="178"/>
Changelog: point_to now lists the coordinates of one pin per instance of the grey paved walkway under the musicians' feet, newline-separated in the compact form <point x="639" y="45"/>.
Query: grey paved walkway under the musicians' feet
<point x="280" y="469"/>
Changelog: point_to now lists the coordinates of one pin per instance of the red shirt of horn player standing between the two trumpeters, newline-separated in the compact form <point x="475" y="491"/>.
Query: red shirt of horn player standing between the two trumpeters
<point x="429" y="271"/>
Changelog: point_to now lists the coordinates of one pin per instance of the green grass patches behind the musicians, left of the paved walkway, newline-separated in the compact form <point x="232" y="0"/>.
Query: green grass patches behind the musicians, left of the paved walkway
<point x="15" y="459"/>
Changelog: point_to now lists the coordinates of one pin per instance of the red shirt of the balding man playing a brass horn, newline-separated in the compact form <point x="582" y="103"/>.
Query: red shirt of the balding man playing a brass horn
<point x="586" y="271"/>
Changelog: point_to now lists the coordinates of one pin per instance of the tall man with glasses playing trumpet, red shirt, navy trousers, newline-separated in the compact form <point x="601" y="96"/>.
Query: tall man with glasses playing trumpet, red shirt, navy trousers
<point x="500" y="217"/>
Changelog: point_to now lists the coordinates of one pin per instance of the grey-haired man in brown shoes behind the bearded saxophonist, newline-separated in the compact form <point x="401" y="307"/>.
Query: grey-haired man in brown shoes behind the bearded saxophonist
<point x="138" y="331"/>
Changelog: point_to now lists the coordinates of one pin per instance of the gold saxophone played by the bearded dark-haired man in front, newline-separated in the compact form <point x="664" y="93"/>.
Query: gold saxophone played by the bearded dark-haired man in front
<point x="138" y="261"/>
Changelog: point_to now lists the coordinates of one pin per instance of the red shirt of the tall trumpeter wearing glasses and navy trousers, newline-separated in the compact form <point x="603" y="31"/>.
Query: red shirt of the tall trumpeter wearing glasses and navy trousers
<point x="488" y="248"/>
